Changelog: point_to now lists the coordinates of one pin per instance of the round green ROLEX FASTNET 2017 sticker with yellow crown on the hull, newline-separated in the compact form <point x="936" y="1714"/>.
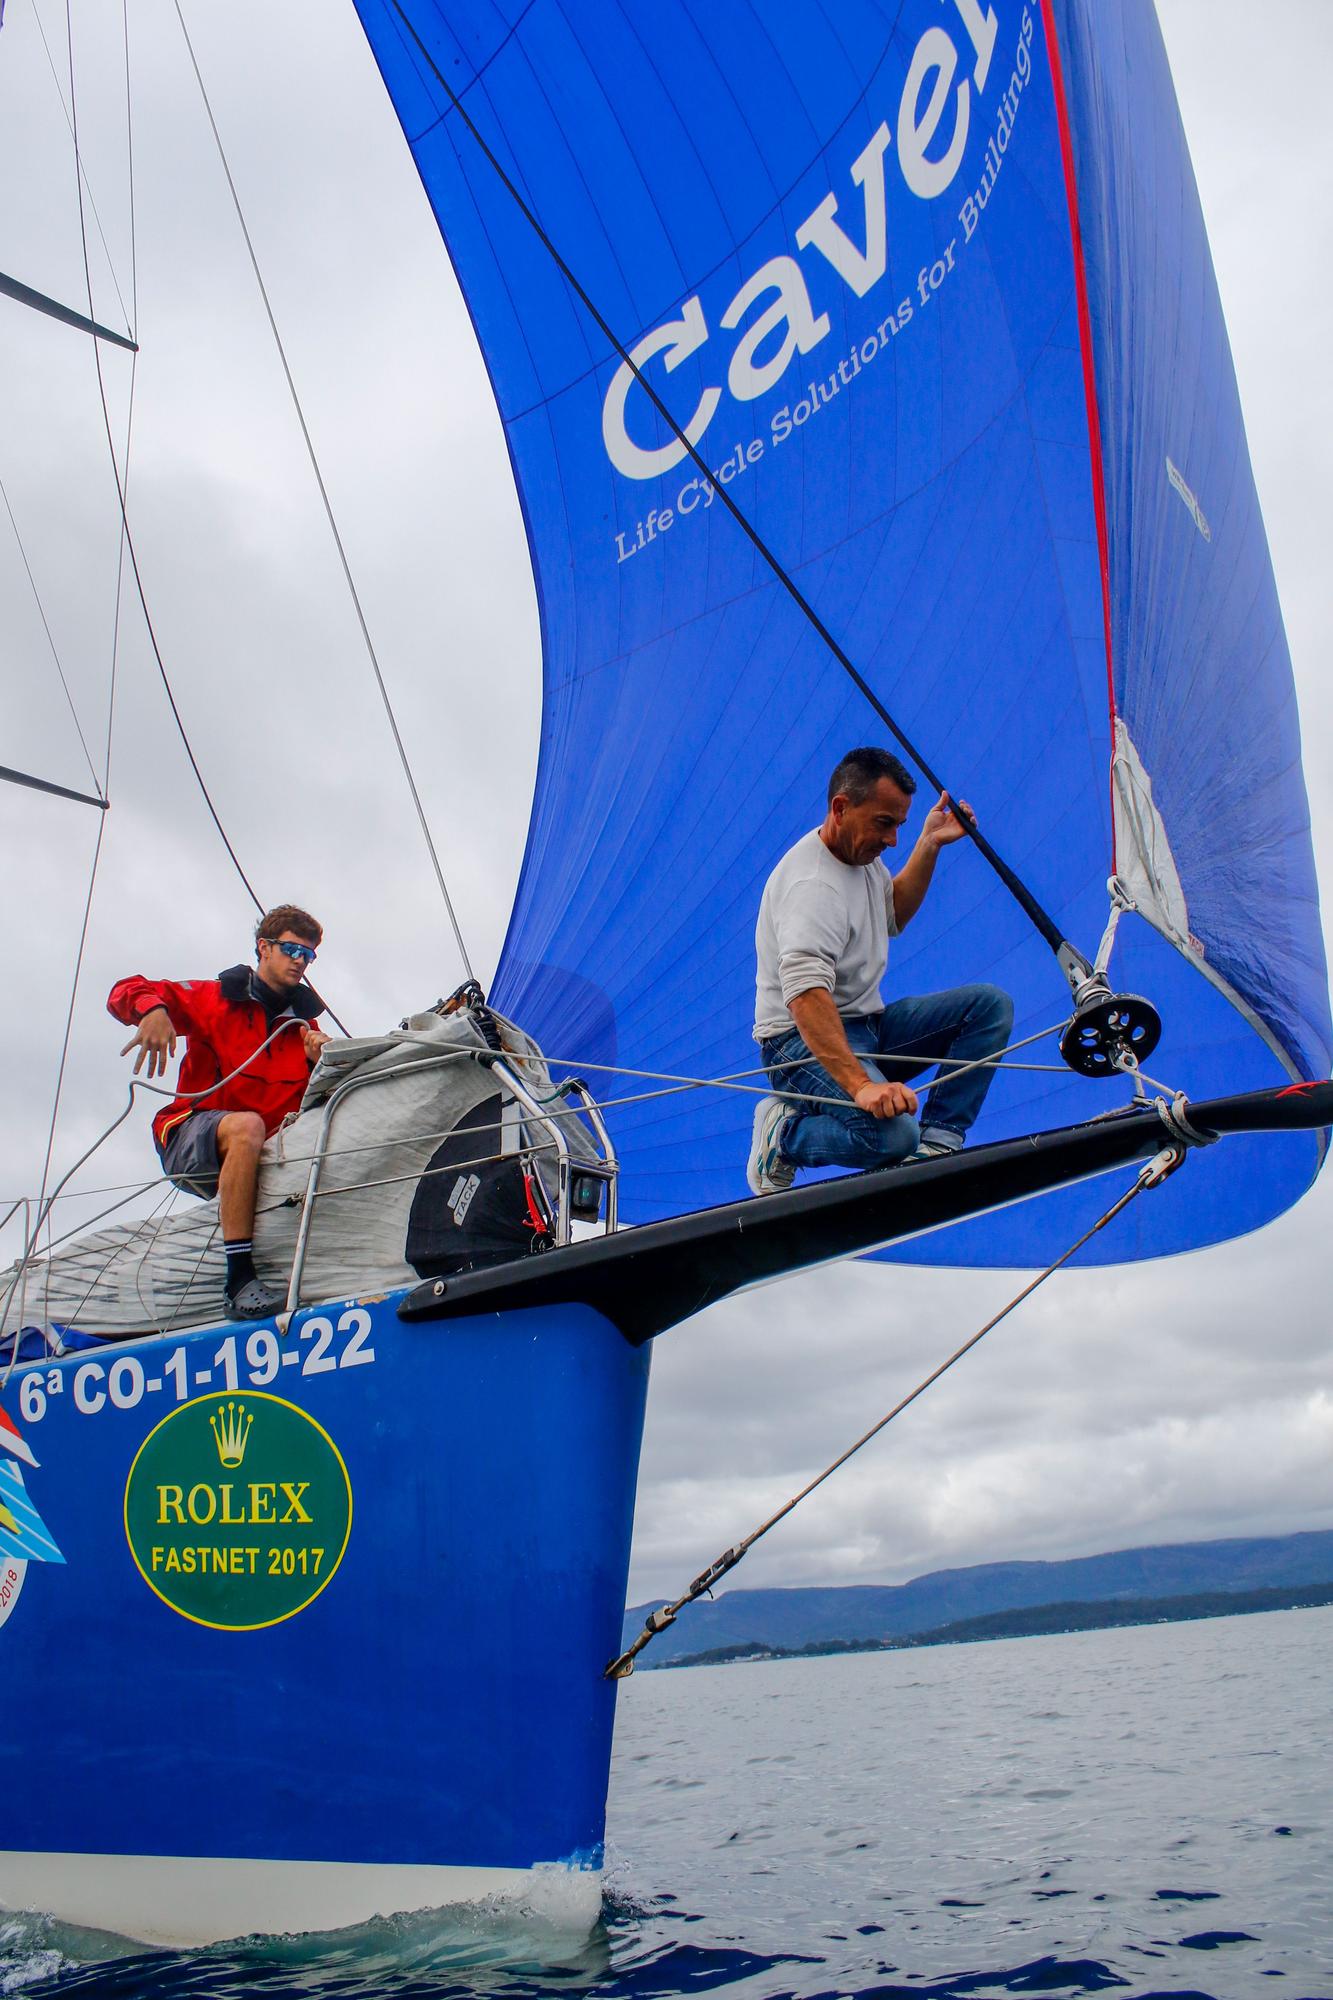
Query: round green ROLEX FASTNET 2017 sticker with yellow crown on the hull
<point x="237" y="1511"/>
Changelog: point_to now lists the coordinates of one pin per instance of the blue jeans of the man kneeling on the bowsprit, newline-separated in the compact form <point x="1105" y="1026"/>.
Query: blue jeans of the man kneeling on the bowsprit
<point x="966" y="1025"/>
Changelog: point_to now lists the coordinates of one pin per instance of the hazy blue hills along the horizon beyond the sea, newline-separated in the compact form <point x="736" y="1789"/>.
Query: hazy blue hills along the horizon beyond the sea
<point x="796" y="1619"/>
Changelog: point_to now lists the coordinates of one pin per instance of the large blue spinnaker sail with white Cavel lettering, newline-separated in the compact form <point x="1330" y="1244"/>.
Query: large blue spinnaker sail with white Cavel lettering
<point x="928" y="287"/>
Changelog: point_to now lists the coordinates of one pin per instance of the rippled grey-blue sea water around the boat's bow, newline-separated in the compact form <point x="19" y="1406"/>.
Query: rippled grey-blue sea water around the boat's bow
<point x="1146" y="1811"/>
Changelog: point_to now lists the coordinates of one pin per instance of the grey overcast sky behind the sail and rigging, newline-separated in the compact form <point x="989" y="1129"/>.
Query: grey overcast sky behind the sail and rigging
<point x="1150" y="1403"/>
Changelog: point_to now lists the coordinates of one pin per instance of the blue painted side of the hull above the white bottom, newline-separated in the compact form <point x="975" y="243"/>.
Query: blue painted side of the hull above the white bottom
<point x="431" y="1697"/>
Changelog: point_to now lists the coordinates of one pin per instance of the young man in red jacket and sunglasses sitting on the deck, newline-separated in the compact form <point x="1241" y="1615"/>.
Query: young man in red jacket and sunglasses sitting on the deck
<point x="249" y="1033"/>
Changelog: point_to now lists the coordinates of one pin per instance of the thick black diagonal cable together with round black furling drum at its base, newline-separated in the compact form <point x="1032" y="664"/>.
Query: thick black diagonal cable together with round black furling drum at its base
<point x="1112" y="1033"/>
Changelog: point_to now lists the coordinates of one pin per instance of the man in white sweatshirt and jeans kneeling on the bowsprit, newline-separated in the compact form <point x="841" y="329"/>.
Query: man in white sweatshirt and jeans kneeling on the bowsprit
<point x="822" y="943"/>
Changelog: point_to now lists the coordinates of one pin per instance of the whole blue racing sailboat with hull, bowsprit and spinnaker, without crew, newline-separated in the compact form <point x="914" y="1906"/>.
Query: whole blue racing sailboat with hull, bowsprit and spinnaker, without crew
<point x="864" y="379"/>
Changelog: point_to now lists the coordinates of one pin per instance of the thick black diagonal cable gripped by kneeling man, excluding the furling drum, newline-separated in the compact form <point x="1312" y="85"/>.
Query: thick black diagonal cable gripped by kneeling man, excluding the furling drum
<point x="1074" y="963"/>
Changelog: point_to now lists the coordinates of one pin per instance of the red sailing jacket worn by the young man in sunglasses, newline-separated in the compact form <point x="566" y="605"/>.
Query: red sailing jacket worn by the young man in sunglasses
<point x="223" y="1027"/>
